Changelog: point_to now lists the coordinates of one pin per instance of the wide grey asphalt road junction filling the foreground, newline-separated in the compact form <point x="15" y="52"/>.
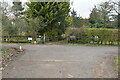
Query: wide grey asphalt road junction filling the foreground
<point x="60" y="61"/>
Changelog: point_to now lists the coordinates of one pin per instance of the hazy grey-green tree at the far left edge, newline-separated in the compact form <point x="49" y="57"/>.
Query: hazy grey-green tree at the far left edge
<point x="7" y="27"/>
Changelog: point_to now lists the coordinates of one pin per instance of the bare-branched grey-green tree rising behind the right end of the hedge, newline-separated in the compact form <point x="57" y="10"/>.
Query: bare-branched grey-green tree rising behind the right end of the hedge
<point x="103" y="16"/>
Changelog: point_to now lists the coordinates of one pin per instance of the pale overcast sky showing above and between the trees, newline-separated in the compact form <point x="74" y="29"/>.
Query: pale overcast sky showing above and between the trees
<point x="83" y="7"/>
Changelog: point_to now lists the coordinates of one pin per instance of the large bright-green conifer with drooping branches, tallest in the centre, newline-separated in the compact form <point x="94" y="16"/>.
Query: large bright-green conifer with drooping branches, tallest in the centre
<point x="51" y="13"/>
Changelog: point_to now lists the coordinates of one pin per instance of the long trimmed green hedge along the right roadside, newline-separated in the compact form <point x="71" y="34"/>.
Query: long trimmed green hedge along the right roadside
<point x="87" y="35"/>
